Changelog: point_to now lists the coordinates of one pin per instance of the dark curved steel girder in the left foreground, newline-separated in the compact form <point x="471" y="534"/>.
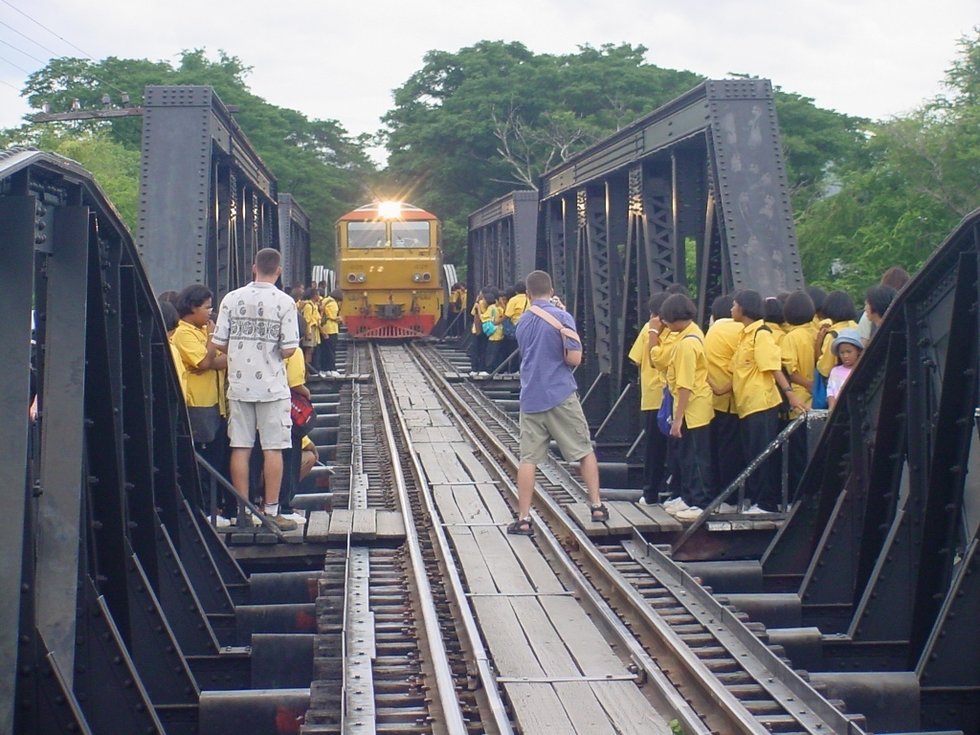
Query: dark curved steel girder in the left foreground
<point x="116" y="582"/>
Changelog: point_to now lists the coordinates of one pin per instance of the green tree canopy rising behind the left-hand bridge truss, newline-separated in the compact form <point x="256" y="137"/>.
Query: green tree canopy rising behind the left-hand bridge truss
<point x="317" y="161"/>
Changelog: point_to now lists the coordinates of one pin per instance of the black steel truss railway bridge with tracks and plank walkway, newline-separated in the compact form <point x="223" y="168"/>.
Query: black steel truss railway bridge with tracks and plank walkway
<point x="401" y="605"/>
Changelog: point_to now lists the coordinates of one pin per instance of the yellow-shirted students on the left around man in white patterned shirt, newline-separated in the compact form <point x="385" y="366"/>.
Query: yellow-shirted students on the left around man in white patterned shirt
<point x="202" y="372"/>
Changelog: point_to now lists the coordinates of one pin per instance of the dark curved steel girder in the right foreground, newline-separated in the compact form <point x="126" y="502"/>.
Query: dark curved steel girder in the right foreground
<point x="882" y="545"/>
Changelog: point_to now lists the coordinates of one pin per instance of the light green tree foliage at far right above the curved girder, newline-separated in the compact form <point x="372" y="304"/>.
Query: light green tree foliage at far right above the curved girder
<point x="919" y="175"/>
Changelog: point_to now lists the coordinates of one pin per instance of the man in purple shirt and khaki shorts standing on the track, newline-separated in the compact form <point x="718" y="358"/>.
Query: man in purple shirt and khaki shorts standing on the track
<point x="550" y="408"/>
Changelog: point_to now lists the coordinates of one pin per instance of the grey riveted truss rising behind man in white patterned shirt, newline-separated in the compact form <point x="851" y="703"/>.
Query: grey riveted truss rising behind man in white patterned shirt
<point x="207" y="201"/>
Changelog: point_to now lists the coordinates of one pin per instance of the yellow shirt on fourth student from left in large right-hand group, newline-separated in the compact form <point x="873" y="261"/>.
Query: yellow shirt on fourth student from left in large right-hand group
<point x="755" y="357"/>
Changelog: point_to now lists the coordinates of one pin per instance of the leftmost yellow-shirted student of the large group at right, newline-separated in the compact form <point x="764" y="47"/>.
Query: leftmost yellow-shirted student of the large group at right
<point x="652" y="383"/>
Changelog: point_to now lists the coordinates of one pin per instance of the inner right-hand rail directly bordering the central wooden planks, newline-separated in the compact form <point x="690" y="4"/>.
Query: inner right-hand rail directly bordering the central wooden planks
<point x="664" y="693"/>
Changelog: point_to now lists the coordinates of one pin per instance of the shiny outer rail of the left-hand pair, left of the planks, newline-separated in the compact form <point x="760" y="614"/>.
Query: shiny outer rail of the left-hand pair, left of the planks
<point x="439" y="658"/>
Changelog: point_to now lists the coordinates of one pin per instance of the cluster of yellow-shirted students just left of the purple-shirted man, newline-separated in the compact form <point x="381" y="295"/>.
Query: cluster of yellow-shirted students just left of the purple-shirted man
<point x="495" y="315"/>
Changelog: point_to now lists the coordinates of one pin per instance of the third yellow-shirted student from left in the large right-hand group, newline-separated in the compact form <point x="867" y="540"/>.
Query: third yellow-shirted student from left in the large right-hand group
<point x="720" y="342"/>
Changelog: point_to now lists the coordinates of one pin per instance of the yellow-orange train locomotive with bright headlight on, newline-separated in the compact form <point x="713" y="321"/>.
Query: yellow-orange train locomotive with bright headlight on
<point x="389" y="257"/>
